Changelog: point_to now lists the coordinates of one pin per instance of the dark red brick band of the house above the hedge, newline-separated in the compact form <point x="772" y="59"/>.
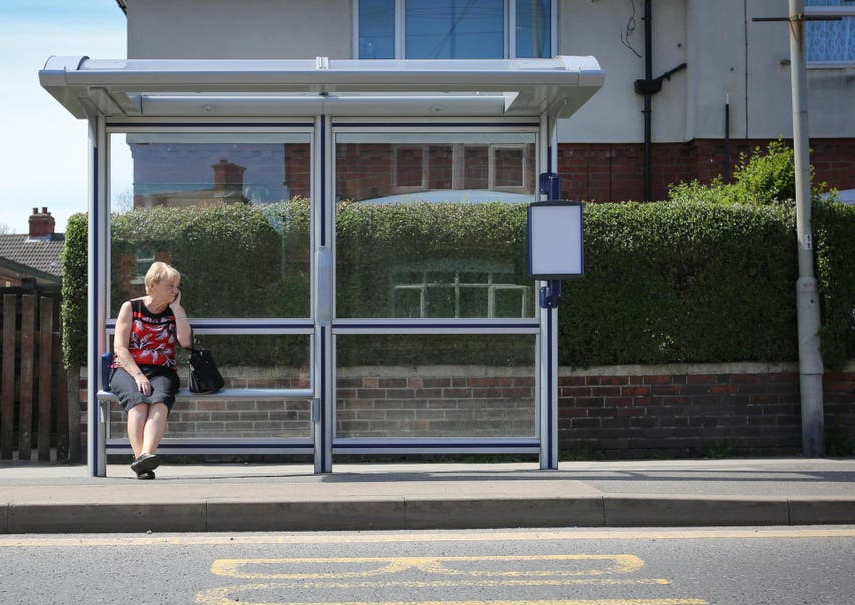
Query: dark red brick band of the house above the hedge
<point x="614" y="172"/>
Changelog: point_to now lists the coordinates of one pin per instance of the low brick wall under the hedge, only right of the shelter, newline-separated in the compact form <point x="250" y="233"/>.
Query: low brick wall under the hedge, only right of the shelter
<point x="692" y="411"/>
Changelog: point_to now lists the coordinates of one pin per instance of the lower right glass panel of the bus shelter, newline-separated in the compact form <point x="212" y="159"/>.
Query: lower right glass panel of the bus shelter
<point x="443" y="386"/>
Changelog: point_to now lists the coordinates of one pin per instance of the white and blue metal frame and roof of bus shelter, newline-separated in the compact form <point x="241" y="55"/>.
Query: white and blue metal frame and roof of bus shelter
<point x="255" y="95"/>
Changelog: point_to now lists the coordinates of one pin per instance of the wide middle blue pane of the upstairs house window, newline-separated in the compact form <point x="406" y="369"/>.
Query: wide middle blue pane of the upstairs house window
<point x="455" y="29"/>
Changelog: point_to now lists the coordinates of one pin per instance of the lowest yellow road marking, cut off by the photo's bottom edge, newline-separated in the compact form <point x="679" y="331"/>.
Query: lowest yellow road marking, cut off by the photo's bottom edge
<point x="220" y="596"/>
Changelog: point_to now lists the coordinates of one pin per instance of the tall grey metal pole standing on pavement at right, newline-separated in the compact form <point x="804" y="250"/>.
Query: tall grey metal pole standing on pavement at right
<point x="810" y="360"/>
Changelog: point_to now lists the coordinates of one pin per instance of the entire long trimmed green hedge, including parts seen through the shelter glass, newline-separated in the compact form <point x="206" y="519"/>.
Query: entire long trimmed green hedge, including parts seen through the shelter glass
<point x="664" y="282"/>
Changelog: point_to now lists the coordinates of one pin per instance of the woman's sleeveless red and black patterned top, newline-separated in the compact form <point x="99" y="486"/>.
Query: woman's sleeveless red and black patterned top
<point x="153" y="339"/>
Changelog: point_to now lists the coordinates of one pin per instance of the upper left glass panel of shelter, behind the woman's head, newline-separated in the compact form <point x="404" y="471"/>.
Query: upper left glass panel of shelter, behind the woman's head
<point x="214" y="205"/>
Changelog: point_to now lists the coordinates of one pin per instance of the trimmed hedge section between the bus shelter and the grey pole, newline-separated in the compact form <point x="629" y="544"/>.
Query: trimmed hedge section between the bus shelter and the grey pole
<point x="679" y="282"/>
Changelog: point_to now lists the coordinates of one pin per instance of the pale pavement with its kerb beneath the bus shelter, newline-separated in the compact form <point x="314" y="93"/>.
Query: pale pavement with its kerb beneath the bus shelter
<point x="50" y="498"/>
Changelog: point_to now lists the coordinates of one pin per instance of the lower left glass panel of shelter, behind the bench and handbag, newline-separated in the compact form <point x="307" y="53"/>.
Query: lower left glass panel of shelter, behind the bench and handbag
<point x="250" y="361"/>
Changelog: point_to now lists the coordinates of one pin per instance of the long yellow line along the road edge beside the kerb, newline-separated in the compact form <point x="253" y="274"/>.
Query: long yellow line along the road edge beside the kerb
<point x="373" y="538"/>
